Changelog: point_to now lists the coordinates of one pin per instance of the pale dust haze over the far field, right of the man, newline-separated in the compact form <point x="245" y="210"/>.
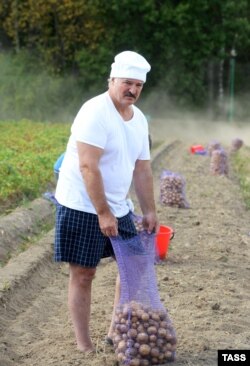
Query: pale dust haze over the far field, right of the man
<point x="167" y="123"/>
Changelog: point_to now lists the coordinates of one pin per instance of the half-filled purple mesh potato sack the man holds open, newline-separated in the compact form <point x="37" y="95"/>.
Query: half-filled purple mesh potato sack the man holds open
<point x="143" y="333"/>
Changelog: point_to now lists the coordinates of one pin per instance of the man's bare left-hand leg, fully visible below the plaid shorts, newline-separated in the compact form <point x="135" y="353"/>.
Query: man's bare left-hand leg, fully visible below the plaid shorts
<point x="79" y="302"/>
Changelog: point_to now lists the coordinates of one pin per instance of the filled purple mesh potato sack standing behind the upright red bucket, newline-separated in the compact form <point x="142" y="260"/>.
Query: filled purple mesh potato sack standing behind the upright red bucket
<point x="173" y="190"/>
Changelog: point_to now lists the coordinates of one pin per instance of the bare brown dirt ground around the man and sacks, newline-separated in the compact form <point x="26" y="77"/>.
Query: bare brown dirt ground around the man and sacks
<point x="204" y="281"/>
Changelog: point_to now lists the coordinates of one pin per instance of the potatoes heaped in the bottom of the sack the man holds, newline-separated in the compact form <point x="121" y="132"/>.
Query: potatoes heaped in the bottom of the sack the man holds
<point x="143" y="336"/>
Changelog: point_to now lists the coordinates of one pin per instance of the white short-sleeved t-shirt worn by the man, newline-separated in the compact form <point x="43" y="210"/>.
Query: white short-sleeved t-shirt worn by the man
<point x="98" y="123"/>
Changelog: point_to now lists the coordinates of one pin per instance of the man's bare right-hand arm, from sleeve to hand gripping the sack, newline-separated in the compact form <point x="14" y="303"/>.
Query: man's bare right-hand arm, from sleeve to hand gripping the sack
<point x="144" y="189"/>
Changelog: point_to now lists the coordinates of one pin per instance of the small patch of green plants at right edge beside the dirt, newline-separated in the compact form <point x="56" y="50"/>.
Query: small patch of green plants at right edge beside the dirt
<point x="241" y="166"/>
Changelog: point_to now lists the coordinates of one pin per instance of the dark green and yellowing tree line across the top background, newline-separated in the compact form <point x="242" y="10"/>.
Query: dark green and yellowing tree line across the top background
<point x="189" y="43"/>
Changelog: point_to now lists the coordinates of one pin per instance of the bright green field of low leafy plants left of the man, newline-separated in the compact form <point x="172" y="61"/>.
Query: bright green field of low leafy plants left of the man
<point x="28" y="152"/>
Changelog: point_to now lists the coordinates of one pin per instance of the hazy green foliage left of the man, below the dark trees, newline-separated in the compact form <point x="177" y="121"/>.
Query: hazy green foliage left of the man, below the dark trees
<point x="28" y="91"/>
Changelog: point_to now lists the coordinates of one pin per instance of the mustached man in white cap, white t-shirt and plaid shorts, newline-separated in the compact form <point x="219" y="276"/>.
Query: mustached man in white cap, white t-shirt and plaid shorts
<point x="108" y="147"/>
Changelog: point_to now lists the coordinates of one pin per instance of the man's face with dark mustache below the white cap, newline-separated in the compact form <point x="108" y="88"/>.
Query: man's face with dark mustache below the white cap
<point x="125" y="91"/>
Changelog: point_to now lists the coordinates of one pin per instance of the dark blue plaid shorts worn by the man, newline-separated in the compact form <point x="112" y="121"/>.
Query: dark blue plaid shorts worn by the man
<point x="79" y="240"/>
